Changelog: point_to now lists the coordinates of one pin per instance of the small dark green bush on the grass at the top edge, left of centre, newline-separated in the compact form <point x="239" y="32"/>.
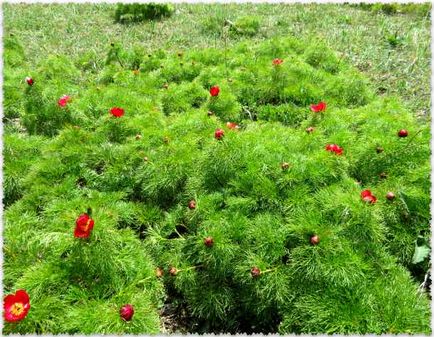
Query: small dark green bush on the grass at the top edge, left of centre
<point x="133" y="13"/>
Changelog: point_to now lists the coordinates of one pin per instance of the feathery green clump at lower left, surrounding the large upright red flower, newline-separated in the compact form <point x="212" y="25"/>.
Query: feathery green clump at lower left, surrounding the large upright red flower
<point x="80" y="285"/>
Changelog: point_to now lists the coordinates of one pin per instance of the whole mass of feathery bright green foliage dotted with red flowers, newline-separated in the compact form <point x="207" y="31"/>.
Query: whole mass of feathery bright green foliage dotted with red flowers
<point x="244" y="253"/>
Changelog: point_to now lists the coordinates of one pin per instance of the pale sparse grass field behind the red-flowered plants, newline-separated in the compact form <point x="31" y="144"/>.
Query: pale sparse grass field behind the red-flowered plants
<point x="394" y="51"/>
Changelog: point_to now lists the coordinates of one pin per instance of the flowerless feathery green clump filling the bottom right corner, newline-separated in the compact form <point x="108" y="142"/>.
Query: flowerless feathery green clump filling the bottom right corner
<point x="343" y="311"/>
